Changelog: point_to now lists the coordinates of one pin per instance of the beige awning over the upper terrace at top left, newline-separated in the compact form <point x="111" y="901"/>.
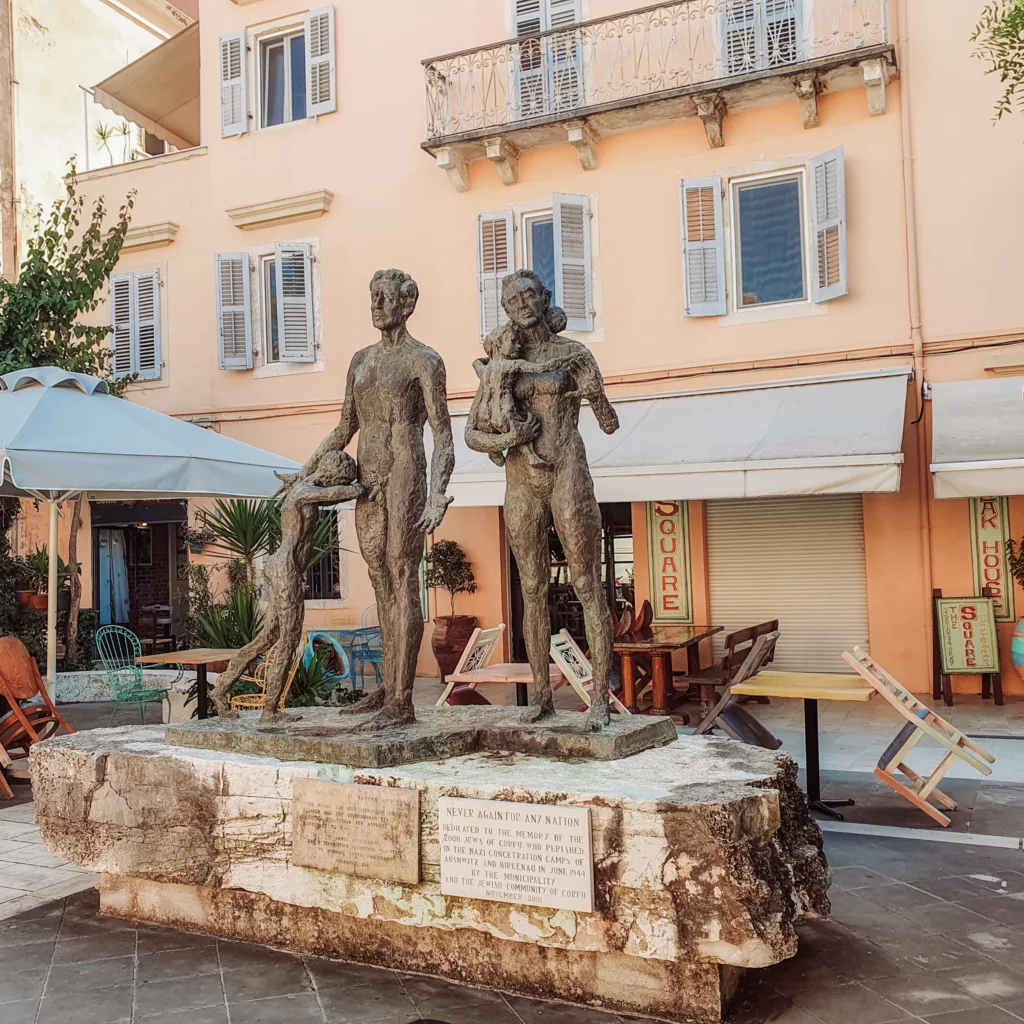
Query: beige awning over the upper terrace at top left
<point x="160" y="91"/>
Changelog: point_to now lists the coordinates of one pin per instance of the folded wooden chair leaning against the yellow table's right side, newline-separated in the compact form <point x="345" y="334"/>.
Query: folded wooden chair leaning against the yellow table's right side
<point x="921" y="722"/>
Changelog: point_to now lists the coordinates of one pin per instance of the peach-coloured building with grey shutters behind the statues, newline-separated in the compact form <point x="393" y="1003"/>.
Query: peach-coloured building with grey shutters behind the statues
<point x="783" y="227"/>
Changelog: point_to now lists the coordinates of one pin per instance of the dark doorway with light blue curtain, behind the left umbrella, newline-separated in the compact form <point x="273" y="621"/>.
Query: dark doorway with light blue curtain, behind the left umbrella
<point x="141" y="563"/>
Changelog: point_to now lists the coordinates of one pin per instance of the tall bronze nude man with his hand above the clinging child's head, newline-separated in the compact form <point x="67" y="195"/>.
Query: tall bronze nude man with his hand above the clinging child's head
<point x="395" y="388"/>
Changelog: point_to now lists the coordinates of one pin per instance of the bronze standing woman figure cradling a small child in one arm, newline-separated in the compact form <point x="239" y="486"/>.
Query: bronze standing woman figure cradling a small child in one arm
<point x="560" y="493"/>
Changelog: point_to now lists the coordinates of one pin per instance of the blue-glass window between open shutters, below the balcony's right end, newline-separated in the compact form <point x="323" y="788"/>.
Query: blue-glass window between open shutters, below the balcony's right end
<point x="770" y="243"/>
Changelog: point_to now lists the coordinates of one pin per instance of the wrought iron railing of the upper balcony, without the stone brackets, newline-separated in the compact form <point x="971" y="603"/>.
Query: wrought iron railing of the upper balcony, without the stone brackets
<point x="641" y="56"/>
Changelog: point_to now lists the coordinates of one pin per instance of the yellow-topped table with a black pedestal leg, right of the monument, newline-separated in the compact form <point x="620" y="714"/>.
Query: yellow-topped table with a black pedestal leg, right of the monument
<point x="810" y="688"/>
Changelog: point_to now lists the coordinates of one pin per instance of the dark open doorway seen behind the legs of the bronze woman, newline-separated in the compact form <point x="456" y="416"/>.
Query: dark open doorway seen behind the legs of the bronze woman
<point x="566" y="611"/>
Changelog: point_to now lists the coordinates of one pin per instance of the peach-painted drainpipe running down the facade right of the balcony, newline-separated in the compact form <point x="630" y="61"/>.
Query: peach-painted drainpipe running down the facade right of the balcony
<point x="917" y="338"/>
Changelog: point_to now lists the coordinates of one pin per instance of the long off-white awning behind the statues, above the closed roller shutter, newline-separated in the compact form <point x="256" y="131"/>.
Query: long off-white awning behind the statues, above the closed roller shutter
<point x="820" y="436"/>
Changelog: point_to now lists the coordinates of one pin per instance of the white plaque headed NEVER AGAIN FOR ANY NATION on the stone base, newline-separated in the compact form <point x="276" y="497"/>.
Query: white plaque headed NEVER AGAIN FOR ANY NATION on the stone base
<point x="538" y="855"/>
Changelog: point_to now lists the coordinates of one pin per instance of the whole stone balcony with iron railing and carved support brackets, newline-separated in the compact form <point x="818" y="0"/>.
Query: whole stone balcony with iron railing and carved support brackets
<point x="694" y="59"/>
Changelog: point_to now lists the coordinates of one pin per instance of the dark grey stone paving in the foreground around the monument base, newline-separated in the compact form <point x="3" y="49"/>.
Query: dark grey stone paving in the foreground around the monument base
<point x="921" y="932"/>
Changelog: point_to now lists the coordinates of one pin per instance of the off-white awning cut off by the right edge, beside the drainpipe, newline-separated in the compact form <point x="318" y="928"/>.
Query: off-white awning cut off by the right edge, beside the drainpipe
<point x="978" y="438"/>
